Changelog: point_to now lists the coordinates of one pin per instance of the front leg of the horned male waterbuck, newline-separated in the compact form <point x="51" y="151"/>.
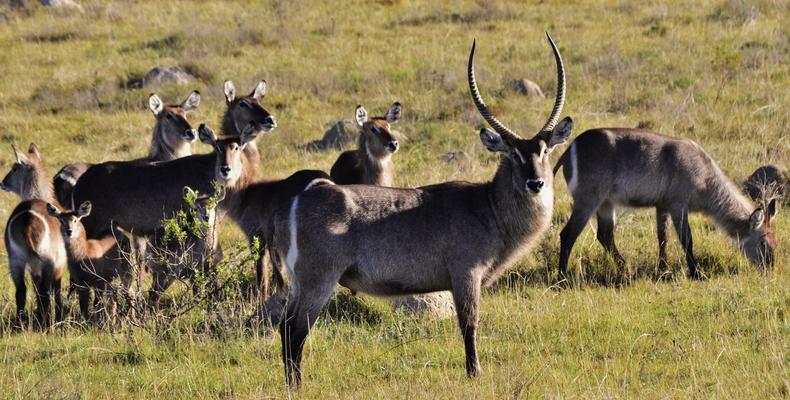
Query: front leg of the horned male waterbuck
<point x="466" y="294"/>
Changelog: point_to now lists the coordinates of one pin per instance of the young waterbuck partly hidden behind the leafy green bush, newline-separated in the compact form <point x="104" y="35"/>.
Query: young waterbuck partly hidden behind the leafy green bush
<point x="196" y="247"/>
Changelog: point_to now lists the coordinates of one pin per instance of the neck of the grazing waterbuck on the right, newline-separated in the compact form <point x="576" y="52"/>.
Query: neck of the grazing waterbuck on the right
<point x="728" y="206"/>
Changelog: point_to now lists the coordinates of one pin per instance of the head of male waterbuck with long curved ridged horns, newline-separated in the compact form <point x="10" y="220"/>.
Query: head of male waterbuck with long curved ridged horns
<point x="528" y="158"/>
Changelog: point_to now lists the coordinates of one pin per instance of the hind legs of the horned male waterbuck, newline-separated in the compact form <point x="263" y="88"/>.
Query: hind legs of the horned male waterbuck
<point x="302" y="311"/>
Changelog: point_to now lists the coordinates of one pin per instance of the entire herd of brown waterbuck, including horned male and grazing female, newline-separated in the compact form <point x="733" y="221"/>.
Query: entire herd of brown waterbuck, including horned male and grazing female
<point x="351" y="227"/>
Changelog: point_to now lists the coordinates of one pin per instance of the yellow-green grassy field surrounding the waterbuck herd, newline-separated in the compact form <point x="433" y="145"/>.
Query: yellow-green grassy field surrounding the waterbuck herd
<point x="713" y="71"/>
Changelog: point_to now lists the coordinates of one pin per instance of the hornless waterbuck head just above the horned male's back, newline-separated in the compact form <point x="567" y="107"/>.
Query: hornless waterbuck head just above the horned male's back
<point x="375" y="137"/>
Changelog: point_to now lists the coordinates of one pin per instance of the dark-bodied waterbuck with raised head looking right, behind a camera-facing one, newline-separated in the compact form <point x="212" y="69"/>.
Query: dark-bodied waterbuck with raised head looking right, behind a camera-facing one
<point x="137" y="196"/>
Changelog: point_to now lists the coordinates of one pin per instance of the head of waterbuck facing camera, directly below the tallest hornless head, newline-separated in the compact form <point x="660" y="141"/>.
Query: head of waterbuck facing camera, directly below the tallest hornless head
<point x="230" y="163"/>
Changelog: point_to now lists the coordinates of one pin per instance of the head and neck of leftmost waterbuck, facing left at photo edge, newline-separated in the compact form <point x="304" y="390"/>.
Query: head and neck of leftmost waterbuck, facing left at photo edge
<point x="27" y="176"/>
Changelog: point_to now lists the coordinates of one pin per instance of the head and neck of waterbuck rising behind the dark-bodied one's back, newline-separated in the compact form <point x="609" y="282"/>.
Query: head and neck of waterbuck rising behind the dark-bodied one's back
<point x="172" y="133"/>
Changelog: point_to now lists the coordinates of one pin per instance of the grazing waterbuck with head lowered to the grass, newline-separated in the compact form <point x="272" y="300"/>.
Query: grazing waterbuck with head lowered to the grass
<point x="605" y="168"/>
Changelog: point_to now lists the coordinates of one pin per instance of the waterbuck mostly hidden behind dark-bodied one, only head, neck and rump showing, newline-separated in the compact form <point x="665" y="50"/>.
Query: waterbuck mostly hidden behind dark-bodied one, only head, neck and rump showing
<point x="171" y="139"/>
